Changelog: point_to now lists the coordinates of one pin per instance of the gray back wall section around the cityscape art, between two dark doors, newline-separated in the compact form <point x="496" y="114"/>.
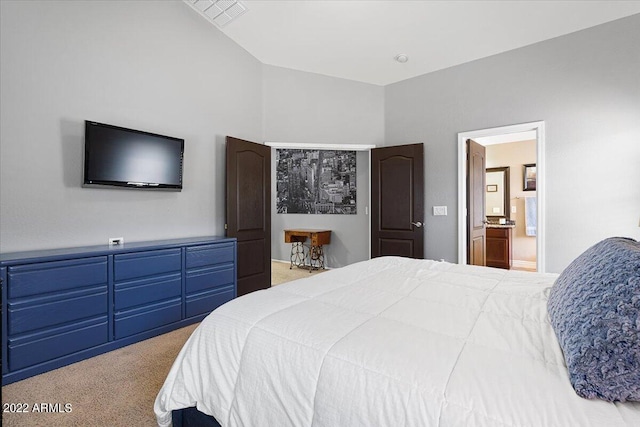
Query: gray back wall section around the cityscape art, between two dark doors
<point x="311" y="108"/>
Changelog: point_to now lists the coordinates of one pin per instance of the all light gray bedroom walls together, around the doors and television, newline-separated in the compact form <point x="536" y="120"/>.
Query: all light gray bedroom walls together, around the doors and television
<point x="164" y="69"/>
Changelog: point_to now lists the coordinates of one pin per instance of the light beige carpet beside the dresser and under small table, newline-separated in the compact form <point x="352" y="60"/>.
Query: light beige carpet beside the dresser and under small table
<point x="114" y="389"/>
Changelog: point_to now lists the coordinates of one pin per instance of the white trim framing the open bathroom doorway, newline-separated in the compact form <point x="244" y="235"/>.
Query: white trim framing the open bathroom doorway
<point x="538" y="127"/>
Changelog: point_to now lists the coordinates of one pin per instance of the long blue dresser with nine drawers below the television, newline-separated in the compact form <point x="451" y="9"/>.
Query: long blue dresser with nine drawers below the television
<point x="63" y="305"/>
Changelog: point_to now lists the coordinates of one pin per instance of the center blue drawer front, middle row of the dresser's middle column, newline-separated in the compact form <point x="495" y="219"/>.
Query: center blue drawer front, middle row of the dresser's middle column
<point x="144" y="291"/>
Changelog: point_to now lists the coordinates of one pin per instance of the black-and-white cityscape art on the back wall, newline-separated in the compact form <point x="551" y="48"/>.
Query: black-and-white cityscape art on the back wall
<point x="316" y="181"/>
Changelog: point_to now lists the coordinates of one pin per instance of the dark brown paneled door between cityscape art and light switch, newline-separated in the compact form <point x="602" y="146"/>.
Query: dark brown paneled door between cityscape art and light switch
<point x="397" y="201"/>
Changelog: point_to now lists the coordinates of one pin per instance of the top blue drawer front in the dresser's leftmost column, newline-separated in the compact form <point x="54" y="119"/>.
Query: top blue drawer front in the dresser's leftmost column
<point x="45" y="277"/>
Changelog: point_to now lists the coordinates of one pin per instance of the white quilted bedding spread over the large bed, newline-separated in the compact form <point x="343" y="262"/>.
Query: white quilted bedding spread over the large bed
<point x="387" y="342"/>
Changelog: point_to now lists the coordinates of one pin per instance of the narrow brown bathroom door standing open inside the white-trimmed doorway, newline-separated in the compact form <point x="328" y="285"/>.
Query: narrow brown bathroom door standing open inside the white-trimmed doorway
<point x="476" y="216"/>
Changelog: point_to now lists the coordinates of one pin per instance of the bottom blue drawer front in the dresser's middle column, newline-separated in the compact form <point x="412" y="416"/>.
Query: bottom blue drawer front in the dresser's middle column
<point x="143" y="319"/>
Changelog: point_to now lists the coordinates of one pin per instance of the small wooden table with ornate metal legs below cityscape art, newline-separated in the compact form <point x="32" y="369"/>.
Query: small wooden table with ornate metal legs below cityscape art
<point x="315" y="254"/>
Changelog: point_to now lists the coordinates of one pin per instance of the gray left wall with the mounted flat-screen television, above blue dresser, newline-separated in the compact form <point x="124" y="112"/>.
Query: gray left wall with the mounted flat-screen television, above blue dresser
<point x="155" y="66"/>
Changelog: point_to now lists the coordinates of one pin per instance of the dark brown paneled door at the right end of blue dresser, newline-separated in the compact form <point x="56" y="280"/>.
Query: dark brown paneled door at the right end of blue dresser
<point x="249" y="211"/>
